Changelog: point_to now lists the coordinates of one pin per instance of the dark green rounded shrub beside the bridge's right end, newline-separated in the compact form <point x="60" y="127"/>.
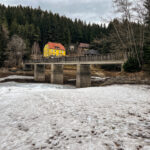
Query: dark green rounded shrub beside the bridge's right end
<point x="132" y="65"/>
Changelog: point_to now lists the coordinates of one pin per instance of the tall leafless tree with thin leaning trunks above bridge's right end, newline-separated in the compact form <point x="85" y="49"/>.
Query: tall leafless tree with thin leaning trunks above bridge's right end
<point x="131" y="11"/>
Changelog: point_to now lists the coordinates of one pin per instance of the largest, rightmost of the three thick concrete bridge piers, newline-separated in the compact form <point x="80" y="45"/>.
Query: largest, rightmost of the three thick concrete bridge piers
<point x="83" y="78"/>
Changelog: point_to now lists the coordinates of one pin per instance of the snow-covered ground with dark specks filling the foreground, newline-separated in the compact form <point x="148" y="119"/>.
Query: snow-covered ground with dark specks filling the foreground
<point x="44" y="116"/>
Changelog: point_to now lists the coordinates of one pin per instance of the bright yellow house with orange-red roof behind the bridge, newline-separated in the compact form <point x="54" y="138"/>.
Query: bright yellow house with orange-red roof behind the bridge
<point x="54" y="49"/>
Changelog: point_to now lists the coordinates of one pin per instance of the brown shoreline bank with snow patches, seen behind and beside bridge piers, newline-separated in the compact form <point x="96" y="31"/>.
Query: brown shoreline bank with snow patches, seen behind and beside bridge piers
<point x="98" y="78"/>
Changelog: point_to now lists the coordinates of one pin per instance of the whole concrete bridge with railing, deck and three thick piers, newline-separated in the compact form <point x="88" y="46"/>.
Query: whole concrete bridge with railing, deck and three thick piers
<point x="83" y="76"/>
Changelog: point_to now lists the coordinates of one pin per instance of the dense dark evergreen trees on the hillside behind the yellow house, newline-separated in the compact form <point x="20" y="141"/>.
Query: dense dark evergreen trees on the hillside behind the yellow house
<point x="42" y="26"/>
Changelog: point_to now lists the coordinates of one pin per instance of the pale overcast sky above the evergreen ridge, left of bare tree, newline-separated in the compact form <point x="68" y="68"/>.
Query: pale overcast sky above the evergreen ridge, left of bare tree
<point x="94" y="11"/>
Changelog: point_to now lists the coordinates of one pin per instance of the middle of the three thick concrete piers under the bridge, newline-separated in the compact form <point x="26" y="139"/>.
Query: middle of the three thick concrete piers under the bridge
<point x="57" y="76"/>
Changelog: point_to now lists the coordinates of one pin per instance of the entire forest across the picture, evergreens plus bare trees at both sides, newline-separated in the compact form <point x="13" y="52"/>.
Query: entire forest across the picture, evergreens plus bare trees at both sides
<point x="25" y="26"/>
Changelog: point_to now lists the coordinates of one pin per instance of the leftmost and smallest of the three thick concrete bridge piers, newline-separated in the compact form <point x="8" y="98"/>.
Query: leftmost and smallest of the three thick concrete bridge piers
<point x="39" y="72"/>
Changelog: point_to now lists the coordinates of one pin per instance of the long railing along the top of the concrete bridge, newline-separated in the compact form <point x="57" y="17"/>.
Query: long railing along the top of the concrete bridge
<point x="106" y="57"/>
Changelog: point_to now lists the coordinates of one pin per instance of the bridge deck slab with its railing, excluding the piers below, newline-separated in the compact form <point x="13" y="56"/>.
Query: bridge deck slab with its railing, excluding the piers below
<point x="100" y="59"/>
